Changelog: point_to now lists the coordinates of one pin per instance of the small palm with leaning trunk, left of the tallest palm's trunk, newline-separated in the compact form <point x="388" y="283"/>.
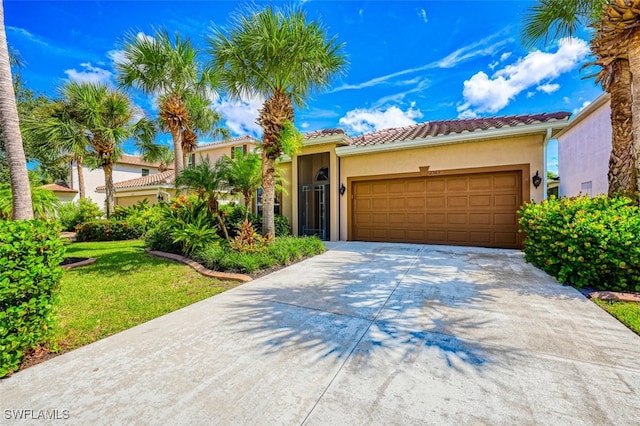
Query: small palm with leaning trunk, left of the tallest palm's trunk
<point x="208" y="184"/>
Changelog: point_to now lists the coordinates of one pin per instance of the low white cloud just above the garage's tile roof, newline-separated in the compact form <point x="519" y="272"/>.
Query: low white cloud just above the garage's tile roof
<point x="362" y="120"/>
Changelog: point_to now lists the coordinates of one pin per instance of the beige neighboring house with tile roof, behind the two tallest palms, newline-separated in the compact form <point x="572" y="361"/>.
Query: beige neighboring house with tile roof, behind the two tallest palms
<point x="156" y="187"/>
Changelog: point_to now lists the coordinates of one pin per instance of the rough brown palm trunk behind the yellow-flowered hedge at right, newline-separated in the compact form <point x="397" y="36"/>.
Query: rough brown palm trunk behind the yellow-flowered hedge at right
<point x="621" y="162"/>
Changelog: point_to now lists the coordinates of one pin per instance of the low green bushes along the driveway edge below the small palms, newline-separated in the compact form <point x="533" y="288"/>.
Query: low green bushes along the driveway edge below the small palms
<point x="282" y="251"/>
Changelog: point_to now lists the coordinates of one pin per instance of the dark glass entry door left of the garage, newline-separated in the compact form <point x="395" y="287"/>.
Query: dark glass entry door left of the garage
<point x="313" y="210"/>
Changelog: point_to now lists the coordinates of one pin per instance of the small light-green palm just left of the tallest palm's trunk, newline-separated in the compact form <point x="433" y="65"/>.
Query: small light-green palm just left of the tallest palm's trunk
<point x="243" y="174"/>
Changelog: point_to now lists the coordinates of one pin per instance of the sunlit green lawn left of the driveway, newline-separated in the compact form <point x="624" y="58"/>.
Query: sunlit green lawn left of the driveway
<point x="124" y="288"/>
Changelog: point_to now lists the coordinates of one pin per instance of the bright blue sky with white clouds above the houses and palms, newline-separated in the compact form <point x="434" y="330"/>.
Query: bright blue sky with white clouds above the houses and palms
<point x="410" y="61"/>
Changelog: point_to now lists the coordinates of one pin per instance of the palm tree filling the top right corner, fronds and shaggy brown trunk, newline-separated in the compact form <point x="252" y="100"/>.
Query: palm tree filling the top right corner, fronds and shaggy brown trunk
<point x="616" y="44"/>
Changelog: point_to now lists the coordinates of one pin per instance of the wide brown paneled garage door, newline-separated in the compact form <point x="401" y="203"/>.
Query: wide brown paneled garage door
<point x="472" y="209"/>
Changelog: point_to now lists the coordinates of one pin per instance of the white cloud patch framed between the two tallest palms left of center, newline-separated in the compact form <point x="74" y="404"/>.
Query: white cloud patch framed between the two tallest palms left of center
<point x="240" y="116"/>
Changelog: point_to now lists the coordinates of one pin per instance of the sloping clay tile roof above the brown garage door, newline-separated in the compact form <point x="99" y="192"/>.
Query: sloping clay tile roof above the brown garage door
<point x="446" y="127"/>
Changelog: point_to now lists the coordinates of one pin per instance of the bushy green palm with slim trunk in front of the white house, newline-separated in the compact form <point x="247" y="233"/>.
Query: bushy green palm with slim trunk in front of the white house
<point x="106" y="120"/>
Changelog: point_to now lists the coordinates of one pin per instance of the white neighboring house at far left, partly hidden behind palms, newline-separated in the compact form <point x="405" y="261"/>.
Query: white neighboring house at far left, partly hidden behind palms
<point x="126" y="168"/>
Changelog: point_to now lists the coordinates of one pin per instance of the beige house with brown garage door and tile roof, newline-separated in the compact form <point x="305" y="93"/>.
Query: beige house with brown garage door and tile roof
<point x="457" y="182"/>
